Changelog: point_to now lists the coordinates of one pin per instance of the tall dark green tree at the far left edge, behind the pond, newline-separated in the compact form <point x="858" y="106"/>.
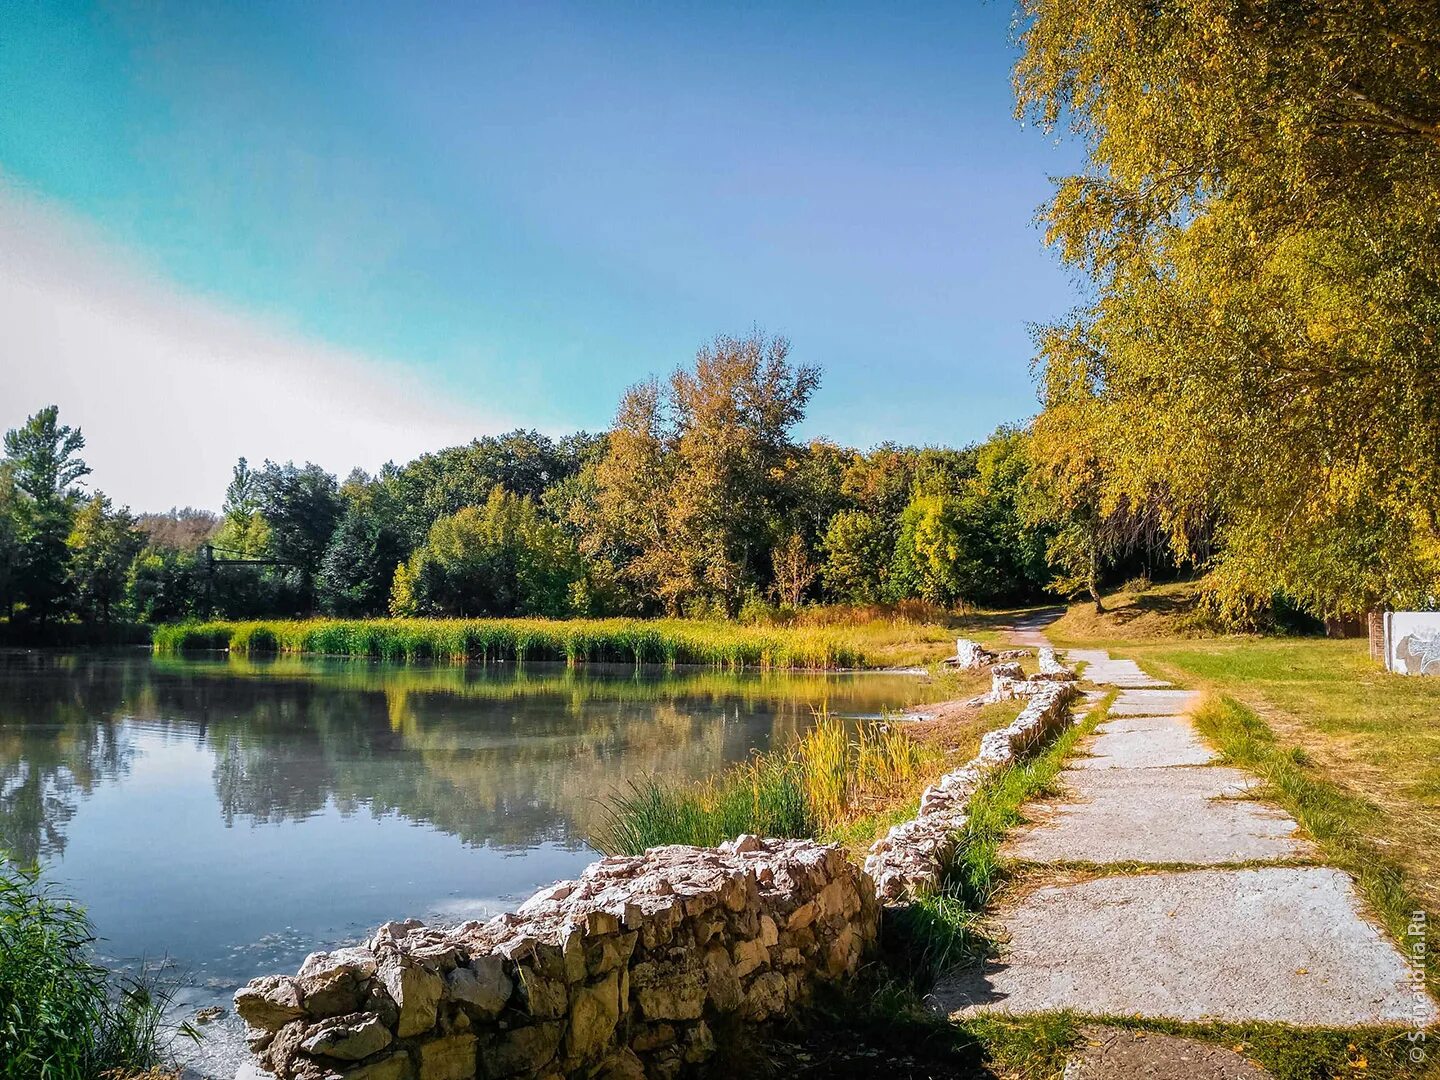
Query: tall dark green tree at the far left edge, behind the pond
<point x="45" y="466"/>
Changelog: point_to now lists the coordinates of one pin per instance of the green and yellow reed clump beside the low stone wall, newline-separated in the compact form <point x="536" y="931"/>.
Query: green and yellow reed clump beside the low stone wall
<point x="816" y="788"/>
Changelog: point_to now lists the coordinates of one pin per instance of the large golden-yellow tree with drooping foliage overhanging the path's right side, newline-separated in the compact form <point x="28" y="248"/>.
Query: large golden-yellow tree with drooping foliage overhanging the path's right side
<point x="1259" y="215"/>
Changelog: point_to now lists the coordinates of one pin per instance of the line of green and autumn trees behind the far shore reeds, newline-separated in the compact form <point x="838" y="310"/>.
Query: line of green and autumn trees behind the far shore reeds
<point x="701" y="500"/>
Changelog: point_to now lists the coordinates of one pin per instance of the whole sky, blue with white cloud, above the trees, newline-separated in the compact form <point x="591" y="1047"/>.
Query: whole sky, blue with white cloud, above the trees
<point x="352" y="233"/>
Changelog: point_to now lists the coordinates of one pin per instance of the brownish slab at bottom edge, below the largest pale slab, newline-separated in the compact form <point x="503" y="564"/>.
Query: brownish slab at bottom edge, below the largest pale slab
<point x="1121" y="1055"/>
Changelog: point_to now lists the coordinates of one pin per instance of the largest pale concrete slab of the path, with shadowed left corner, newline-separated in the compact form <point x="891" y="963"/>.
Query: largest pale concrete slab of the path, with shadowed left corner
<point x="1277" y="944"/>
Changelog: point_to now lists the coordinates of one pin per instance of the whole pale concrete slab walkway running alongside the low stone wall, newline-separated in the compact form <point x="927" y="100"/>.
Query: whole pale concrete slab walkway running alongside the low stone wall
<point x="1158" y="888"/>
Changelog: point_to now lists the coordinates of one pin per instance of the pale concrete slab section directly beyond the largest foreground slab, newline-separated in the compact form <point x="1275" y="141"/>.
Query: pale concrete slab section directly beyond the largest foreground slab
<point x="1157" y="816"/>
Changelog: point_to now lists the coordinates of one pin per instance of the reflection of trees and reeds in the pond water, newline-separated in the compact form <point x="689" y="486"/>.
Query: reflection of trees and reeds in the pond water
<point x="499" y="757"/>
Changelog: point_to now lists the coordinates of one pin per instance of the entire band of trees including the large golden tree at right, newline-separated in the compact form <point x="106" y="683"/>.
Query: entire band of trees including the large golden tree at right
<point x="1249" y="392"/>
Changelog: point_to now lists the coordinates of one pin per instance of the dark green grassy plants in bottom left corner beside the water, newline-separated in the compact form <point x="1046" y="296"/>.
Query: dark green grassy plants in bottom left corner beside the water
<point x="61" y="1016"/>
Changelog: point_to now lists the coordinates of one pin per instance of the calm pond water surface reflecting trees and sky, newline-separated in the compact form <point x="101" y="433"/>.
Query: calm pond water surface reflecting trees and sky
<point x="228" y="817"/>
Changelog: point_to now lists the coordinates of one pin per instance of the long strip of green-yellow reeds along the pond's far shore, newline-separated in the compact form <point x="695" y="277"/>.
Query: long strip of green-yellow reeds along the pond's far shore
<point x="486" y="642"/>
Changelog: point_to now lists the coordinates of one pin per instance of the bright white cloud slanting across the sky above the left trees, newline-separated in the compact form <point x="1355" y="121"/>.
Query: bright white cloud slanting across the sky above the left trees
<point x="171" y="388"/>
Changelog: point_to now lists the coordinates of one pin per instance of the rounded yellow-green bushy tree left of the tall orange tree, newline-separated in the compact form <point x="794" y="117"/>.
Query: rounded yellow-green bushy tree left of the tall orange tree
<point x="502" y="559"/>
